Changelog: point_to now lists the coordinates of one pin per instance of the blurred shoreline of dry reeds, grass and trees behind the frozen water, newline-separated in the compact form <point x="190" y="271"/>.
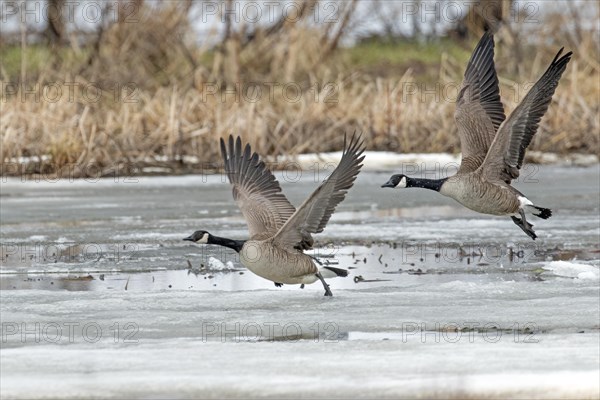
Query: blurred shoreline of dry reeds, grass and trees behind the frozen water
<point x="124" y="84"/>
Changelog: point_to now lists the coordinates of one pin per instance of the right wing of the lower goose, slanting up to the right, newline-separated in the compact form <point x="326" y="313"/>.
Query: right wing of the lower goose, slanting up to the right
<point x="312" y="216"/>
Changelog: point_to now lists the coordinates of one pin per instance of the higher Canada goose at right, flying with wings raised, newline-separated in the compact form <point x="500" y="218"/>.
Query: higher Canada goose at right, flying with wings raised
<point x="492" y="146"/>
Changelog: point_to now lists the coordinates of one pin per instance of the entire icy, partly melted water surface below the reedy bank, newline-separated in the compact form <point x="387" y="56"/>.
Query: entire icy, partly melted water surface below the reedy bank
<point x="98" y="298"/>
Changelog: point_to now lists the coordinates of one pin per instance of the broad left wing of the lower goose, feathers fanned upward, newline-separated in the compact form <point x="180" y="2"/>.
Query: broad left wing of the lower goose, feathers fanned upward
<point x="255" y="190"/>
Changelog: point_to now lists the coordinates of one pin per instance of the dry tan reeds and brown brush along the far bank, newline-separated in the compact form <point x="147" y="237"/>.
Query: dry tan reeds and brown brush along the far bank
<point x="173" y="112"/>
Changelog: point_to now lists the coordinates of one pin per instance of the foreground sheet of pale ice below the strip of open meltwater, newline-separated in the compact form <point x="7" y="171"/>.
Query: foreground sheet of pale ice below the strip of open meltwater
<point x="450" y="341"/>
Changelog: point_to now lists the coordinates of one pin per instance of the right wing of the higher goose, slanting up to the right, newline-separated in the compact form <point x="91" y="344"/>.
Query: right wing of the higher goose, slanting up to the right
<point x="508" y="149"/>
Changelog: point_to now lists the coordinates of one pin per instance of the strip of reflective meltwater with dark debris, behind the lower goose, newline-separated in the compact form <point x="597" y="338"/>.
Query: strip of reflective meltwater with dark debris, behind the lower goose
<point x="378" y="265"/>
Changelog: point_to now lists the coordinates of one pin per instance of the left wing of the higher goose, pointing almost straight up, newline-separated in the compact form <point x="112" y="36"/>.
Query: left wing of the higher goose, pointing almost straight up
<point x="479" y="111"/>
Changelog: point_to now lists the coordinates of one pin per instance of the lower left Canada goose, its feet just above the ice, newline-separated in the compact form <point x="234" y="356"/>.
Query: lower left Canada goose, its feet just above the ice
<point x="278" y="232"/>
